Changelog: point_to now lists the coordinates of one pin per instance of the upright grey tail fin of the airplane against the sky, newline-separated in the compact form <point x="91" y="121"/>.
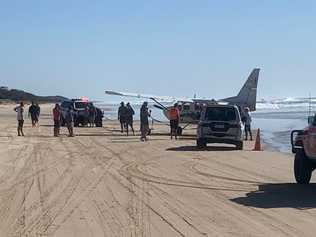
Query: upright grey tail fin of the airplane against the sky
<point x="247" y="96"/>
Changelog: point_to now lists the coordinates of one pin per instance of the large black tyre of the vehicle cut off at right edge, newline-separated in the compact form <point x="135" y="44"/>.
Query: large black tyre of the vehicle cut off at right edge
<point x="303" y="168"/>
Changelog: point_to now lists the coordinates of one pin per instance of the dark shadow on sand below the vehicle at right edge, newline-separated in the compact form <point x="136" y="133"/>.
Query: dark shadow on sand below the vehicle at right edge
<point x="283" y="195"/>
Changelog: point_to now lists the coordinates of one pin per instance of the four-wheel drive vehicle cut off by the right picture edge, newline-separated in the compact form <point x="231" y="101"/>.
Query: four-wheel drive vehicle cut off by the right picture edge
<point x="304" y="146"/>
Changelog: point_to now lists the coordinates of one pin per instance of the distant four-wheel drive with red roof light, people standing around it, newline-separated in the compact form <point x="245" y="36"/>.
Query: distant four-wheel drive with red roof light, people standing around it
<point x="81" y="111"/>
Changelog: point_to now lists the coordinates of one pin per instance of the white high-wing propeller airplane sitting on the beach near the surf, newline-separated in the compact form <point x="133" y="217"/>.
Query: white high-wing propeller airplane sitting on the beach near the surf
<point x="190" y="109"/>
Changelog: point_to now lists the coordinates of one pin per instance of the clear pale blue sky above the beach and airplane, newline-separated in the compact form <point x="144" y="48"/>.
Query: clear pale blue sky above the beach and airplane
<point x="76" y="48"/>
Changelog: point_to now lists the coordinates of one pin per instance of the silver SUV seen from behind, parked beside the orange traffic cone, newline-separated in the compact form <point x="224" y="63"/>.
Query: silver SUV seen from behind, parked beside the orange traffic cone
<point x="220" y="124"/>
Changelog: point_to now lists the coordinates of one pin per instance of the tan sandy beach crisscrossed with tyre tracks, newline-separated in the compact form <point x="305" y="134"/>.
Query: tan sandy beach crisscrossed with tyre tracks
<point x="102" y="183"/>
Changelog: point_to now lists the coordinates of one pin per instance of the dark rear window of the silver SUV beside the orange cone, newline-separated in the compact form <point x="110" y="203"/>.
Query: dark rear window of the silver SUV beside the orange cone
<point x="220" y="114"/>
